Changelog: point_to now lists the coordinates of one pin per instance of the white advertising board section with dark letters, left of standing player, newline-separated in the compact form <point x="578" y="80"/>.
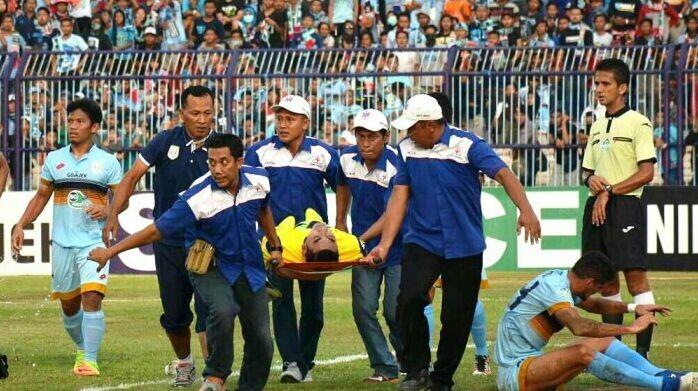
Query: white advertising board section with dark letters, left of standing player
<point x="35" y="253"/>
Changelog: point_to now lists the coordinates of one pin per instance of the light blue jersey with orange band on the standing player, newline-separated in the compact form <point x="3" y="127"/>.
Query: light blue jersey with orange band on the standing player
<point x="76" y="184"/>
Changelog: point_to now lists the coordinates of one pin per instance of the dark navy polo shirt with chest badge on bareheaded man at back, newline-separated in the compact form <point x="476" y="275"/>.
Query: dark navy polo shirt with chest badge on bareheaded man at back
<point x="177" y="164"/>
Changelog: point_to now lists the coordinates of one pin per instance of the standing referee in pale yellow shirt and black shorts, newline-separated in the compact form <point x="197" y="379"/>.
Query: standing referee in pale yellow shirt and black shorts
<point x="618" y="162"/>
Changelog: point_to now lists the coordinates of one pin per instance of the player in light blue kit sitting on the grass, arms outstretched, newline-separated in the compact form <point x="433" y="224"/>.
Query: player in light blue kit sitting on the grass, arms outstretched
<point x="547" y="304"/>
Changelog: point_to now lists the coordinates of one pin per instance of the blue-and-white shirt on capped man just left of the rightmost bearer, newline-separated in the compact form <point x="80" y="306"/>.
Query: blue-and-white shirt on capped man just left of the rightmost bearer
<point x="370" y="191"/>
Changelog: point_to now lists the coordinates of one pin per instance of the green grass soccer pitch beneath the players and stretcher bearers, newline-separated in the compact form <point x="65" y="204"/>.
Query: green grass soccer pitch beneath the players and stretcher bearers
<point x="135" y="349"/>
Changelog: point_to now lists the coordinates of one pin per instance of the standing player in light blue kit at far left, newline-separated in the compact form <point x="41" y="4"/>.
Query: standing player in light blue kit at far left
<point x="79" y="176"/>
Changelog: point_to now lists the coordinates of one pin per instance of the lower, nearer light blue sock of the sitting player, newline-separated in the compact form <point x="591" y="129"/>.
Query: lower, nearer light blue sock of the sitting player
<point x="614" y="371"/>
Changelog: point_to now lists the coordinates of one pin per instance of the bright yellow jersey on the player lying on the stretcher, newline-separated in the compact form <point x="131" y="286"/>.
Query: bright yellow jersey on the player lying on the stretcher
<point x="292" y="236"/>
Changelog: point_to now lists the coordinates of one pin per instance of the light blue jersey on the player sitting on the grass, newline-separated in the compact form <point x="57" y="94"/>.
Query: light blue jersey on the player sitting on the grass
<point x="529" y="322"/>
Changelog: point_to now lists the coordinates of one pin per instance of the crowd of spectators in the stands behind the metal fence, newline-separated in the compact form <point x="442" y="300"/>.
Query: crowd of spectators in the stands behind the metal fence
<point x="537" y="110"/>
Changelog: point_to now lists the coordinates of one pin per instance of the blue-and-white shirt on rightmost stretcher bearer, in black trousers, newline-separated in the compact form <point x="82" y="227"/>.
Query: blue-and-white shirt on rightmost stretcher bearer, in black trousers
<point x="444" y="214"/>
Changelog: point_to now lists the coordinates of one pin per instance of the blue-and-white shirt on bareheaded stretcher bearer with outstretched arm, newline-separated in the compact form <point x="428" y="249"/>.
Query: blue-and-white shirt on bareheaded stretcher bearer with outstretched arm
<point x="228" y="222"/>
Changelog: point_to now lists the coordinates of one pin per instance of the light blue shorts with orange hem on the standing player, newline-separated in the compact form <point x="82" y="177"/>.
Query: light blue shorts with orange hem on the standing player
<point x="74" y="274"/>
